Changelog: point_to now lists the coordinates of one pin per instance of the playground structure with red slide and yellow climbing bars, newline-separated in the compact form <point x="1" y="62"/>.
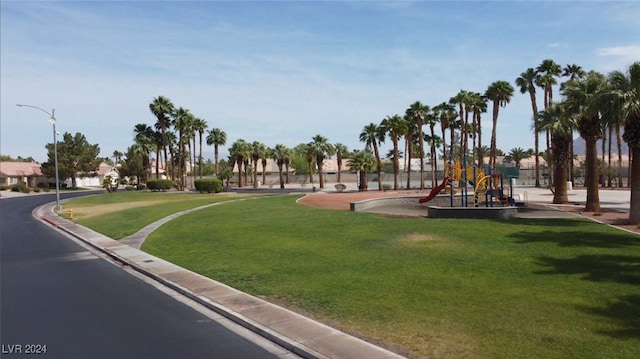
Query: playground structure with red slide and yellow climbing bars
<point x="488" y="187"/>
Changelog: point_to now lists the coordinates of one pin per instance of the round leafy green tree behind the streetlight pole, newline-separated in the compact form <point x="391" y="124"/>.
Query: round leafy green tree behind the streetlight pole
<point x="76" y="156"/>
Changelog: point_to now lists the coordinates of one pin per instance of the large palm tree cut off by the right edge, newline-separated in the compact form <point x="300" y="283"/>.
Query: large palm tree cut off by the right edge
<point x="621" y="101"/>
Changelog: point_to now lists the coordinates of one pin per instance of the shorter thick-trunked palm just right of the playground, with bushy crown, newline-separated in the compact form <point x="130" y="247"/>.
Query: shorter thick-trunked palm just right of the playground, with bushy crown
<point x="560" y="125"/>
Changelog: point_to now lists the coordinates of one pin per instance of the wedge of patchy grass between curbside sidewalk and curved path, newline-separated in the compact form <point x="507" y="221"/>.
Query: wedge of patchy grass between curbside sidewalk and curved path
<point x="121" y="214"/>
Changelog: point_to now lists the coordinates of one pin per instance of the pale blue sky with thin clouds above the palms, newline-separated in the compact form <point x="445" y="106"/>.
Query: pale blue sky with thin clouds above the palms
<point x="284" y="71"/>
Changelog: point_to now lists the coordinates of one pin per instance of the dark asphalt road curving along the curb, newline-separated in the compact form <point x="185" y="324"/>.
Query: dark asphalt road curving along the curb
<point x="60" y="297"/>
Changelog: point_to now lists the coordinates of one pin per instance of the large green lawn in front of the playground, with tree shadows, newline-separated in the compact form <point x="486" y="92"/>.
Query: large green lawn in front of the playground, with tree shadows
<point x="524" y="288"/>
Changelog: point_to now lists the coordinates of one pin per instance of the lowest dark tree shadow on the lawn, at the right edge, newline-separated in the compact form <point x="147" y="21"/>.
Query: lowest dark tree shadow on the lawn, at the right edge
<point x="624" y="312"/>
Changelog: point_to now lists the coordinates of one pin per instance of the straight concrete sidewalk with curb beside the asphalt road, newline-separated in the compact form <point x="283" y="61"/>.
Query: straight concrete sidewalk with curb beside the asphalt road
<point x="294" y="332"/>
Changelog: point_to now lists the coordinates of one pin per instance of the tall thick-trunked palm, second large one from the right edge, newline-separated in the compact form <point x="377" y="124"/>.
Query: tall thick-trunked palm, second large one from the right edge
<point x="581" y="100"/>
